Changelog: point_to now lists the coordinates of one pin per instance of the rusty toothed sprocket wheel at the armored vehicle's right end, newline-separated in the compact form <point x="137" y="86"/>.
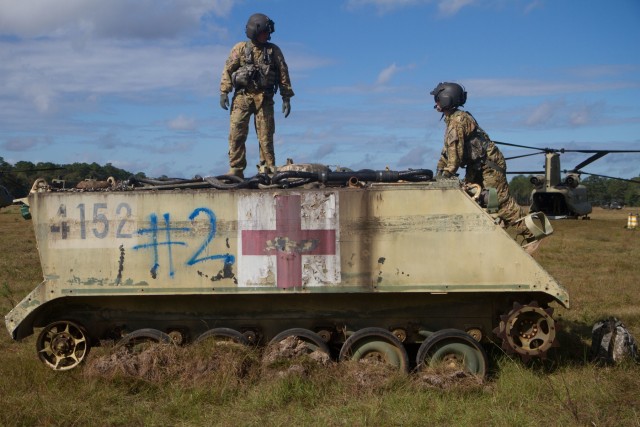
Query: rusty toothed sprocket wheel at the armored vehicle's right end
<point x="528" y="330"/>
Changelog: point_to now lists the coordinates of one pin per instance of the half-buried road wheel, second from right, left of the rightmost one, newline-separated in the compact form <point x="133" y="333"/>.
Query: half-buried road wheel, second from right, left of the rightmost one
<point x="375" y="345"/>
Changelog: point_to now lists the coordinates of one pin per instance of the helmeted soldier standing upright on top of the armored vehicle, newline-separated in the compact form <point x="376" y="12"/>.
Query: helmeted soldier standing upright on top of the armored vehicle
<point x="256" y="69"/>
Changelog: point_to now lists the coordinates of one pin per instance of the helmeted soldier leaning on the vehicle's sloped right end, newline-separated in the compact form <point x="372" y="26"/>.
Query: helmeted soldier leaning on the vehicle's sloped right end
<point x="467" y="145"/>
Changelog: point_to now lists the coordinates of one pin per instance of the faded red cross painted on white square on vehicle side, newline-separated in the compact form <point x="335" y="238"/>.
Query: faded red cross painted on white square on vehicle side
<point x="289" y="241"/>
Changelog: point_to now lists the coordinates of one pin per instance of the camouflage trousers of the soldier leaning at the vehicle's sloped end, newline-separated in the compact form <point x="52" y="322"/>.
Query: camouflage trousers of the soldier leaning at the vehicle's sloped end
<point x="508" y="209"/>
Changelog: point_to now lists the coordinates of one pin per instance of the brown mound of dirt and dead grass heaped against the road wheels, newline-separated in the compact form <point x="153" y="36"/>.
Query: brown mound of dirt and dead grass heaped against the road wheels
<point x="213" y="362"/>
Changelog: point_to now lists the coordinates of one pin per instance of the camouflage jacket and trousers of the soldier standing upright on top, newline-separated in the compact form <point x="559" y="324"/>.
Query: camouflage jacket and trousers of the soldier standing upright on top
<point x="254" y="100"/>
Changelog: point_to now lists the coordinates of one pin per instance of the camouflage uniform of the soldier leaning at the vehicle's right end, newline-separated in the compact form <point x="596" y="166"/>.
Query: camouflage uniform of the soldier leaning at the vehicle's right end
<point x="489" y="171"/>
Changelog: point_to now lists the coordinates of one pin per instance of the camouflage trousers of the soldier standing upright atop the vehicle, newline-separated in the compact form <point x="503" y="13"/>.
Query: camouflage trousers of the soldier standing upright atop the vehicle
<point x="245" y="105"/>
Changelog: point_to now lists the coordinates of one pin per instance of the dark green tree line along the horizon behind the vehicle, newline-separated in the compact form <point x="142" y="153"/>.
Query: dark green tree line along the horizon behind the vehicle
<point x="18" y="179"/>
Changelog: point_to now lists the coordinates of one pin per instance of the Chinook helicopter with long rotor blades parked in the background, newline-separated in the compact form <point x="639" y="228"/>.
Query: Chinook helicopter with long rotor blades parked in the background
<point x="554" y="195"/>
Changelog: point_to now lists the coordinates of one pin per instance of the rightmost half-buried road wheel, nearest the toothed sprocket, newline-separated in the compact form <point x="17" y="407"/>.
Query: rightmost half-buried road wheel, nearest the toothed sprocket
<point x="455" y="350"/>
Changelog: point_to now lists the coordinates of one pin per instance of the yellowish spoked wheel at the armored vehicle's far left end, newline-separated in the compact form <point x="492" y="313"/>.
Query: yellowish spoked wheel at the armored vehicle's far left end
<point x="62" y="345"/>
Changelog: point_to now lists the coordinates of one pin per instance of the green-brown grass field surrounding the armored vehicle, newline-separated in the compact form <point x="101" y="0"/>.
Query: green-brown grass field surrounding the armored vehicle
<point x="596" y="260"/>
